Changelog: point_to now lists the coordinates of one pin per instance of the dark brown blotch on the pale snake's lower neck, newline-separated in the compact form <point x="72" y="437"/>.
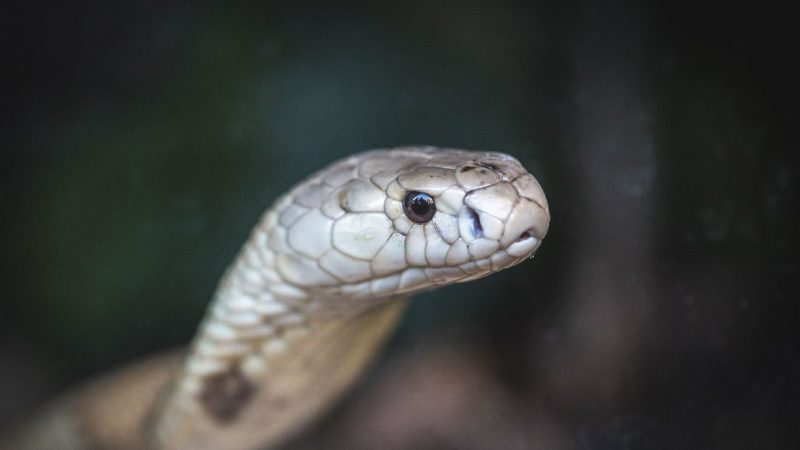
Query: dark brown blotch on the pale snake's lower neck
<point x="225" y="395"/>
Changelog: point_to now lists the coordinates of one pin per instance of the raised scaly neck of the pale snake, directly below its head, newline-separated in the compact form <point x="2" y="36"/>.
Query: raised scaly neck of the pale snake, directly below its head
<point x="268" y="357"/>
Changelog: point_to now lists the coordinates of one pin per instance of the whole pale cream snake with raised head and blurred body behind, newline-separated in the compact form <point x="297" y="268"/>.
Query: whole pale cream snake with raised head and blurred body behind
<point x="310" y="299"/>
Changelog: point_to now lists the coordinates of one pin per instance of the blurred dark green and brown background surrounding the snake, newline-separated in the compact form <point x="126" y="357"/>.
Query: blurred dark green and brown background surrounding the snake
<point x="144" y="139"/>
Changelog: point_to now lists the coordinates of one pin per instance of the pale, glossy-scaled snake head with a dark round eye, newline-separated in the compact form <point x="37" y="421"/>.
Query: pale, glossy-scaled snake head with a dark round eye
<point x="394" y="222"/>
